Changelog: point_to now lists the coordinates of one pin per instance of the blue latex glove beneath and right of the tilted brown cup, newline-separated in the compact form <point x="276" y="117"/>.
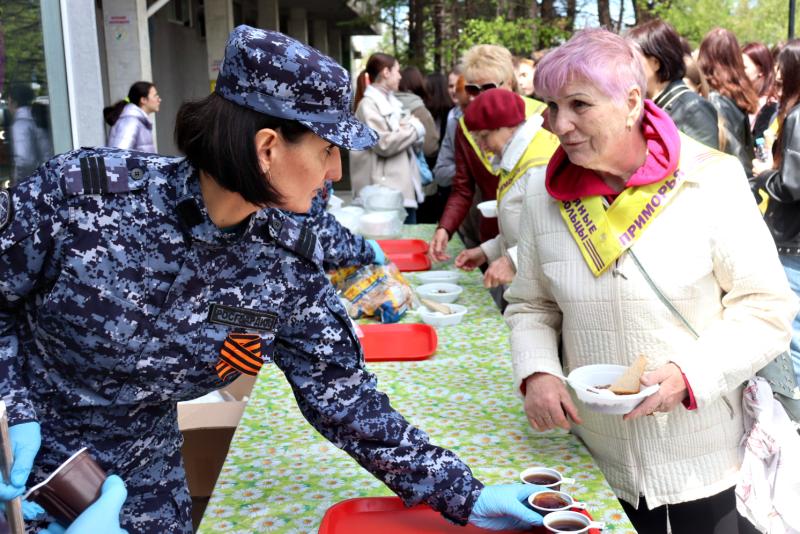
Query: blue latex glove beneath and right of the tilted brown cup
<point x="102" y="515"/>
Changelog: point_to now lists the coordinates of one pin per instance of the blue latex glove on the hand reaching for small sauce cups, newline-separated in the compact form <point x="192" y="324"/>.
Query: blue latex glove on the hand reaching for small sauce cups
<point x="501" y="508"/>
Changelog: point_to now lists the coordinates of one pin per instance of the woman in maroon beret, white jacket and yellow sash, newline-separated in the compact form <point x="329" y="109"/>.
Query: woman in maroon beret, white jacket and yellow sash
<point x="521" y="148"/>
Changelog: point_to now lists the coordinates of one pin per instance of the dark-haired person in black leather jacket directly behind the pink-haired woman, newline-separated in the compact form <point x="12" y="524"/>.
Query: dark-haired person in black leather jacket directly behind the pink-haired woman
<point x="660" y="45"/>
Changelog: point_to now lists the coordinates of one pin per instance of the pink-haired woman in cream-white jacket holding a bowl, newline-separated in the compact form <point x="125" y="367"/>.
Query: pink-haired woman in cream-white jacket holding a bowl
<point x="625" y="184"/>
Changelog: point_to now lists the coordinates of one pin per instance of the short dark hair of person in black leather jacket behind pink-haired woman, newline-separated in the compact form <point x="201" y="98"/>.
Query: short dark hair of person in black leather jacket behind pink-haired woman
<point x="659" y="40"/>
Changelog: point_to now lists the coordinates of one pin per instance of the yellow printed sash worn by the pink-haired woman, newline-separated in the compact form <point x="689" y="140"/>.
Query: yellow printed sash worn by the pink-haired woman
<point x="603" y="235"/>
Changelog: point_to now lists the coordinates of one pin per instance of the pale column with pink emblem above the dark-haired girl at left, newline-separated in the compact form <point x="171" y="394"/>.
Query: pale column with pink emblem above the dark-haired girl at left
<point x="127" y="45"/>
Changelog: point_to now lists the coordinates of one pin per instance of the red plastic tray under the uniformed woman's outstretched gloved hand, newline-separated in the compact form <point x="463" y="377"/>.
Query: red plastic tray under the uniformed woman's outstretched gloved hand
<point x="388" y="515"/>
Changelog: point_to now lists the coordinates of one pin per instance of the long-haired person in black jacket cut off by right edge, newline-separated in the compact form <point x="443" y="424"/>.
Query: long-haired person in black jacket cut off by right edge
<point x="778" y="183"/>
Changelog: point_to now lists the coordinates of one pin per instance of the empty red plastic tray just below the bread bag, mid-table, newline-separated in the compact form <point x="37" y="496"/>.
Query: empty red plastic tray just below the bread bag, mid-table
<point x="398" y="342"/>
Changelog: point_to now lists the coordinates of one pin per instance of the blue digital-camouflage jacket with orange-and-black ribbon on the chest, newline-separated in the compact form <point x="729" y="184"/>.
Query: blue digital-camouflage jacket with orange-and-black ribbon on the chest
<point x="117" y="293"/>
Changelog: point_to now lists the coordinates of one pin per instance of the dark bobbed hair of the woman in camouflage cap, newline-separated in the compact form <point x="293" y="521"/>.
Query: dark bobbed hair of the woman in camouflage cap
<point x="217" y="136"/>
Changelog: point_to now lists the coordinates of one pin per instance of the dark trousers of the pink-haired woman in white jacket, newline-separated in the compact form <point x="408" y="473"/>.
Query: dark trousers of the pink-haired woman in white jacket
<point x="713" y="515"/>
